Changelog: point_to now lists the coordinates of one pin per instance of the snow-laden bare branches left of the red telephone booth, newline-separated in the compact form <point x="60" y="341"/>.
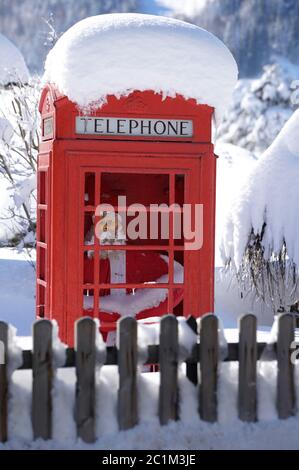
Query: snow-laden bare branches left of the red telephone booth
<point x="18" y="156"/>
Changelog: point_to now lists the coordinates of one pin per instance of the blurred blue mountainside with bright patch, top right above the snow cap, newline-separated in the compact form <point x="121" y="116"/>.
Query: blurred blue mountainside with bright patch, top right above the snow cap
<point x="254" y="30"/>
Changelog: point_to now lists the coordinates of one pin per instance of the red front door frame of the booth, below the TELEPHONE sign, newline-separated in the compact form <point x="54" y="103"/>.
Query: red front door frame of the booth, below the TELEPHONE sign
<point x="68" y="158"/>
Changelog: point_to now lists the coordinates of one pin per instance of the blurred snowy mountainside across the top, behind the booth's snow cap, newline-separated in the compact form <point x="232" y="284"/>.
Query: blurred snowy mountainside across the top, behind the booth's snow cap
<point x="254" y="30"/>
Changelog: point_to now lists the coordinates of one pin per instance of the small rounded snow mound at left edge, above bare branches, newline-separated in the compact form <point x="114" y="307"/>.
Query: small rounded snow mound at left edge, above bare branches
<point x="12" y="63"/>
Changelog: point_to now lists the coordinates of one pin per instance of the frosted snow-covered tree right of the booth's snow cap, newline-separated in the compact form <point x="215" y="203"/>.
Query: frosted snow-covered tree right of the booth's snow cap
<point x="260" y="108"/>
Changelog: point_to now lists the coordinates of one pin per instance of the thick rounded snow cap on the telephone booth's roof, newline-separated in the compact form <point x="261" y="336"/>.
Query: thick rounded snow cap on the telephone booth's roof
<point x="118" y="53"/>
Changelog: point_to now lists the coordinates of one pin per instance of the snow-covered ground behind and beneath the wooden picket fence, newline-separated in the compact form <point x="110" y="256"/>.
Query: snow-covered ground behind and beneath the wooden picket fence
<point x="17" y="289"/>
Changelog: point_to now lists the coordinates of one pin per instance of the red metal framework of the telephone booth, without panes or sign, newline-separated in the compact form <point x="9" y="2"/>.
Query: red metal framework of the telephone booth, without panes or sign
<point x="65" y="159"/>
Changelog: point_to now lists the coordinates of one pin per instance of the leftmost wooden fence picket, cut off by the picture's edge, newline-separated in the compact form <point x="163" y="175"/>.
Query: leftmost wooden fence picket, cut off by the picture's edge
<point x="3" y="381"/>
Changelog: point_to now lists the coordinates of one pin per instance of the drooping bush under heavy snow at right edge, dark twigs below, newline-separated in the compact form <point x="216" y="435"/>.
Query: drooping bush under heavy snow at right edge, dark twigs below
<point x="260" y="234"/>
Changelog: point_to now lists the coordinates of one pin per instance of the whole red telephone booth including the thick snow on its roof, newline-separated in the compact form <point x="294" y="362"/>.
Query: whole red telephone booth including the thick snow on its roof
<point x="126" y="170"/>
